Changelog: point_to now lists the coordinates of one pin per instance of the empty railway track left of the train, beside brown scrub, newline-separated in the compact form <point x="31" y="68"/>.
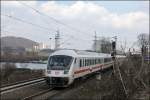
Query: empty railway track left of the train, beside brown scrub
<point x="22" y="84"/>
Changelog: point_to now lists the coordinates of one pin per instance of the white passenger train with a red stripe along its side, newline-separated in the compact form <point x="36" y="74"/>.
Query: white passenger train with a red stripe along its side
<point x="64" y="66"/>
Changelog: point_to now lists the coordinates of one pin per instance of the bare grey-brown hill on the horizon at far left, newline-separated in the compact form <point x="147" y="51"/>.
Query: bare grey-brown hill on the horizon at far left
<point x="14" y="42"/>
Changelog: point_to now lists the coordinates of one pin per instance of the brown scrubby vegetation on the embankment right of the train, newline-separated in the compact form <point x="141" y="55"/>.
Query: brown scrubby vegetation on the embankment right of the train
<point x="110" y="86"/>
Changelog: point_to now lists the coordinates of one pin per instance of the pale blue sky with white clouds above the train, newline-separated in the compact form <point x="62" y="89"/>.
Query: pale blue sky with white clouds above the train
<point x="76" y="20"/>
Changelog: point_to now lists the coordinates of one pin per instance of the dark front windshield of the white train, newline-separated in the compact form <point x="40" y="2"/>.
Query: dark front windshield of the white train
<point x="59" y="62"/>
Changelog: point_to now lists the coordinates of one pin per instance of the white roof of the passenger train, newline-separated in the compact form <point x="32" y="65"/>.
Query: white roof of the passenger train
<point x="79" y="53"/>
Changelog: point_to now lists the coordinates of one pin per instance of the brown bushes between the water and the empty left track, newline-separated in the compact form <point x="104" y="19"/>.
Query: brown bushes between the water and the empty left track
<point x="10" y="74"/>
